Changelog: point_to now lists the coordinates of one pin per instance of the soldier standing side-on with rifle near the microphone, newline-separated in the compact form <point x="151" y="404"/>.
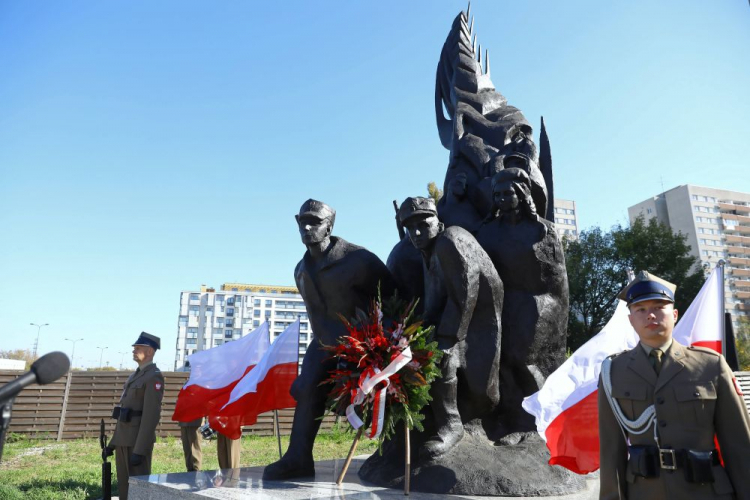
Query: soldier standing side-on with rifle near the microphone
<point x="137" y="415"/>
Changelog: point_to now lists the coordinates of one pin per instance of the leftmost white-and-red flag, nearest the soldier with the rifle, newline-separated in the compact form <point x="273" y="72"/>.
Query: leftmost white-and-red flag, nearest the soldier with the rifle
<point x="215" y="372"/>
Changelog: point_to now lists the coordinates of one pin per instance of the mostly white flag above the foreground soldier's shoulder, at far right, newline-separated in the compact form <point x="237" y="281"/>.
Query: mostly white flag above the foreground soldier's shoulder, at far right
<point x="703" y="323"/>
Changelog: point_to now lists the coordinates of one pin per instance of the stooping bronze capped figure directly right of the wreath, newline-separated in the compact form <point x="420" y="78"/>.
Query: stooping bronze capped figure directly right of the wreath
<point x="463" y="299"/>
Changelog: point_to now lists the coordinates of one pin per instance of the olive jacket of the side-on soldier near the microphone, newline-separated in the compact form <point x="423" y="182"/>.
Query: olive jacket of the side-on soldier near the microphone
<point x="143" y="392"/>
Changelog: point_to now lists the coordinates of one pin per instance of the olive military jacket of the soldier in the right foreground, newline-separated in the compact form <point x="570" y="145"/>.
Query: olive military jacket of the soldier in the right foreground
<point x="695" y="398"/>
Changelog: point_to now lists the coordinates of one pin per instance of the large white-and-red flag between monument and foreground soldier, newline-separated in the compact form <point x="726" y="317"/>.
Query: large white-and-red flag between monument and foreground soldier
<point x="566" y="408"/>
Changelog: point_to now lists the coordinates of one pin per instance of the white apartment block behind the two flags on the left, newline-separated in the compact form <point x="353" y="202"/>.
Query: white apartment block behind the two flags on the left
<point x="209" y="318"/>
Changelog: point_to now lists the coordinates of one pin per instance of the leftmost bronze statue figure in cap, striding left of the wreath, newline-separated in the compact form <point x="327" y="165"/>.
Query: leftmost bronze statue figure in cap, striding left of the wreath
<point x="334" y="277"/>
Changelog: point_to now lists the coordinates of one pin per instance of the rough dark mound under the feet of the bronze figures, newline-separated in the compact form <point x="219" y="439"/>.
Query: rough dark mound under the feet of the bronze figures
<point x="476" y="466"/>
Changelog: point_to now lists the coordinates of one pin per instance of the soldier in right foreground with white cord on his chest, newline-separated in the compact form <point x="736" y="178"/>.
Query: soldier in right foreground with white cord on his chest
<point x="660" y="406"/>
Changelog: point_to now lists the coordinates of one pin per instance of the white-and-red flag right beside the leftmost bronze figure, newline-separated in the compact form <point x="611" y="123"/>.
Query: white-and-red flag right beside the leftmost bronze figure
<point x="267" y="387"/>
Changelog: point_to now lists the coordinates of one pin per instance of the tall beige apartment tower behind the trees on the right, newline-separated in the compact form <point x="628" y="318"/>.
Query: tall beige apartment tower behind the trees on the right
<point x="717" y="225"/>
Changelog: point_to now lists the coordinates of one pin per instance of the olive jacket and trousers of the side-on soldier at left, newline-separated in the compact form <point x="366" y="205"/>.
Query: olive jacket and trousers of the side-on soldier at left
<point x="142" y="394"/>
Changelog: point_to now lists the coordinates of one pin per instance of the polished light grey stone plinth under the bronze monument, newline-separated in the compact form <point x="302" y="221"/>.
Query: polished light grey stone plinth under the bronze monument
<point x="247" y="483"/>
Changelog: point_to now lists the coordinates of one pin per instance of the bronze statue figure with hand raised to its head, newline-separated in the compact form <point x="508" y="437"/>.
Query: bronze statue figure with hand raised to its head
<point x="528" y="256"/>
